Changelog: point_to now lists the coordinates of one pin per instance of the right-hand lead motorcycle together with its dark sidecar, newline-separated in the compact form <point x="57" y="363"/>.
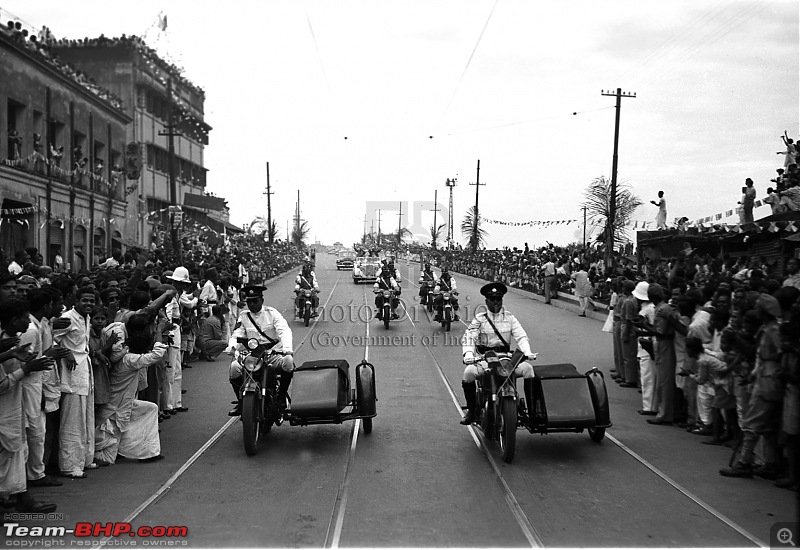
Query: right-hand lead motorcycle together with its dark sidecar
<point x="564" y="400"/>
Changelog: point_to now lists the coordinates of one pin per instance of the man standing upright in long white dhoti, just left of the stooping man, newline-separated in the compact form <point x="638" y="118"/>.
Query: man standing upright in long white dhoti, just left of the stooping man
<point x="76" y="431"/>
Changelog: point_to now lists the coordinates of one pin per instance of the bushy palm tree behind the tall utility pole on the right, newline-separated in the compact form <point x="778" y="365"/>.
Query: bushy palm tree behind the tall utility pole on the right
<point x="598" y="210"/>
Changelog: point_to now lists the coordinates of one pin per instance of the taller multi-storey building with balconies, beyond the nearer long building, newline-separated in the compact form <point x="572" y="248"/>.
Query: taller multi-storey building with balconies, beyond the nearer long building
<point x="154" y="94"/>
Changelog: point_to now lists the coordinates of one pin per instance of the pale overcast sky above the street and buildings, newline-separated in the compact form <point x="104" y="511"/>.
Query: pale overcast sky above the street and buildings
<point x="356" y="102"/>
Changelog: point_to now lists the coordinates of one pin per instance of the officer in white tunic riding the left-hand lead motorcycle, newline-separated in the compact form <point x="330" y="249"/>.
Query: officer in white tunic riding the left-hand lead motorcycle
<point x="268" y="326"/>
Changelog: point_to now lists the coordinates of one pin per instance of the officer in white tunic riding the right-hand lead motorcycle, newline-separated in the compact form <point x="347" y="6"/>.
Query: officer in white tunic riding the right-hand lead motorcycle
<point x="492" y="330"/>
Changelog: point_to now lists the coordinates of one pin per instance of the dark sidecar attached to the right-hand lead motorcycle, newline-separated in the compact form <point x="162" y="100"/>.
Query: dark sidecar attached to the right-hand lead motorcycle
<point x="568" y="401"/>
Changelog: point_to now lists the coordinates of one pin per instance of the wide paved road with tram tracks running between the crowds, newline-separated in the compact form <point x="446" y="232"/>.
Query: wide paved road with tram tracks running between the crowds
<point x="421" y="479"/>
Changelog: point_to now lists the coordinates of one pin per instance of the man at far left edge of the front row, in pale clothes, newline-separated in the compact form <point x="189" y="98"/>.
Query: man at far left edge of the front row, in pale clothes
<point x="14" y="319"/>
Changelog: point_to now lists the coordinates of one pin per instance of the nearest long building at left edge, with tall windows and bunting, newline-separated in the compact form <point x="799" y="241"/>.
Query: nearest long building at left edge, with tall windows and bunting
<point x="63" y="139"/>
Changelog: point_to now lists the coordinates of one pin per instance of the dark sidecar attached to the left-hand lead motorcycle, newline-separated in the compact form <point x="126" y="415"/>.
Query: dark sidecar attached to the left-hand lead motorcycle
<point x="321" y="393"/>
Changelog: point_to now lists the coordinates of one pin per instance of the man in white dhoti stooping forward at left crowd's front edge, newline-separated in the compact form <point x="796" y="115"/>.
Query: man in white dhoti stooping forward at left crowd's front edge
<point x="127" y="426"/>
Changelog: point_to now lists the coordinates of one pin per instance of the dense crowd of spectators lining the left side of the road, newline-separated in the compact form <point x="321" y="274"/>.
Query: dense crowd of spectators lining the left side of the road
<point x="92" y="362"/>
